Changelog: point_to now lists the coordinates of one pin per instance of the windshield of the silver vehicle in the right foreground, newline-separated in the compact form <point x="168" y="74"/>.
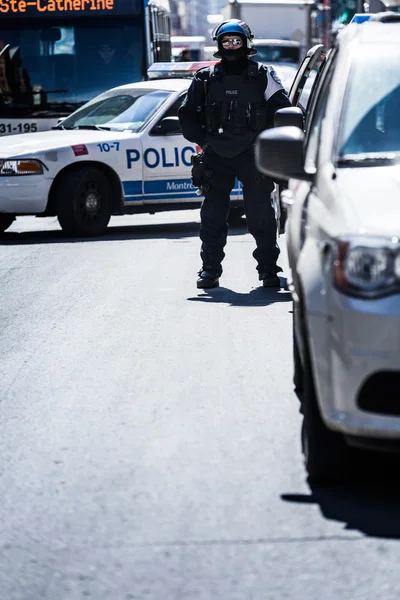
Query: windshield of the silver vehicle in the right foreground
<point x="370" y="126"/>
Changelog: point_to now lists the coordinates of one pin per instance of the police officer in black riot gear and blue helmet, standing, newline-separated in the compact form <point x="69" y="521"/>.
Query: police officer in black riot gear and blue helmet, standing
<point x="226" y="107"/>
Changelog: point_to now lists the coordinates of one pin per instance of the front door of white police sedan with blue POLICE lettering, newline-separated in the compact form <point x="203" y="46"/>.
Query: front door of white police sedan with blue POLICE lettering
<point x="167" y="161"/>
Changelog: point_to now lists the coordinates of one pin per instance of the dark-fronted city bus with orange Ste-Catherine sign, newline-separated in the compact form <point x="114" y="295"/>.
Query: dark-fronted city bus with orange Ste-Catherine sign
<point x="55" y="57"/>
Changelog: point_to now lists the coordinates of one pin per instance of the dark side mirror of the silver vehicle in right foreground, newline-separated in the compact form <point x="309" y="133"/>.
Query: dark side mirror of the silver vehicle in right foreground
<point x="280" y="154"/>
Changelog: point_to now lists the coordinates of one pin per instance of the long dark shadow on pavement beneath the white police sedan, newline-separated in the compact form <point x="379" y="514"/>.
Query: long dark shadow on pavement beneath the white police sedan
<point x="113" y="233"/>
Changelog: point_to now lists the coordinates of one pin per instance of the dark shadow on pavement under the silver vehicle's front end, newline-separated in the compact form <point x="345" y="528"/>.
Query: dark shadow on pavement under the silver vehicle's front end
<point x="370" y="506"/>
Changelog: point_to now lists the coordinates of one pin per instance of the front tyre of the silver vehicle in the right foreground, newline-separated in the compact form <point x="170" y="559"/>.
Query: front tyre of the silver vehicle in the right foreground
<point x="326" y="455"/>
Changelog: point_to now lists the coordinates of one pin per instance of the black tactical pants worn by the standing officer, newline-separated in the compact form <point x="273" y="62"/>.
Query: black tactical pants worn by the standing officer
<point x="260" y="215"/>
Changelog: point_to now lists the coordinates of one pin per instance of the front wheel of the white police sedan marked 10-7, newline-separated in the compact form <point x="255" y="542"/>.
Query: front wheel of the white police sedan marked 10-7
<point x="84" y="202"/>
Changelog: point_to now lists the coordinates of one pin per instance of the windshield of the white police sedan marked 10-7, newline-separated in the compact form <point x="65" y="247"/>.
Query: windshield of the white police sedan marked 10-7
<point x="118" y="112"/>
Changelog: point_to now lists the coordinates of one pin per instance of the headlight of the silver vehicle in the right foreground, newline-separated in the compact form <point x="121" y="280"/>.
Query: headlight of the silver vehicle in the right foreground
<point x="367" y="267"/>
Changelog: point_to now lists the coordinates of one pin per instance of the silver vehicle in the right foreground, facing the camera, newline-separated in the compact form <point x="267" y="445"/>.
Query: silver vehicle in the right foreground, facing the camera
<point x="343" y="233"/>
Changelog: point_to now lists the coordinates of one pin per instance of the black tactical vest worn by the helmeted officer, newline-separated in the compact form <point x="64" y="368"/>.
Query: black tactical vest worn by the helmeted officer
<point x="235" y="109"/>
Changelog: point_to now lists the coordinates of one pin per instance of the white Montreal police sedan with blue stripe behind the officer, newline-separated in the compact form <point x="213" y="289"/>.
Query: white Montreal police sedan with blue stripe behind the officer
<point x="121" y="153"/>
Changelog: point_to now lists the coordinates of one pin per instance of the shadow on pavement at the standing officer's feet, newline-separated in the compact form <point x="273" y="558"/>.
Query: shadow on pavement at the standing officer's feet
<point x="257" y="297"/>
